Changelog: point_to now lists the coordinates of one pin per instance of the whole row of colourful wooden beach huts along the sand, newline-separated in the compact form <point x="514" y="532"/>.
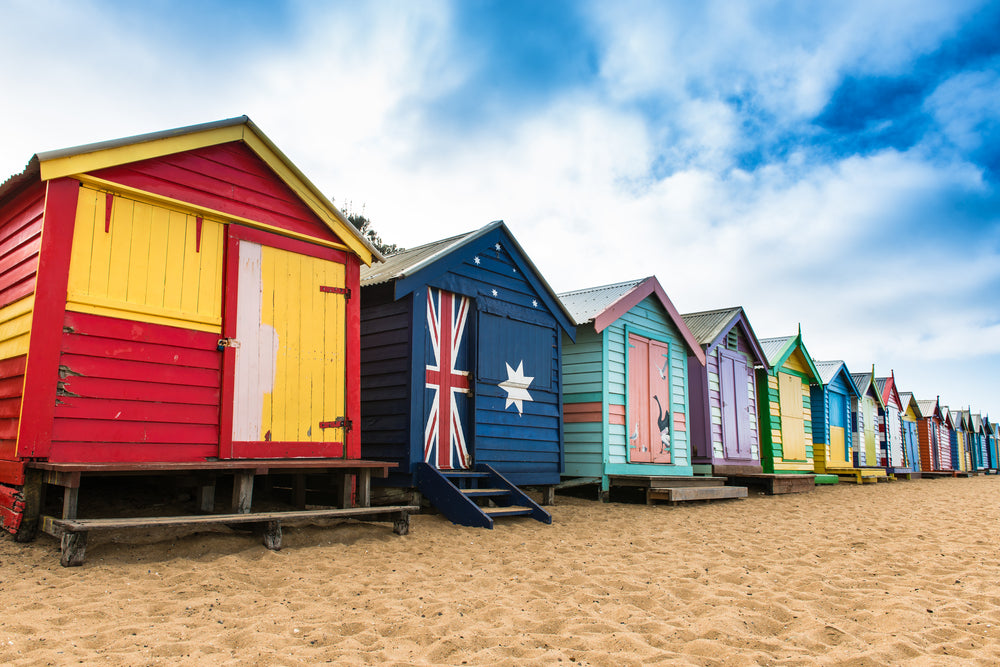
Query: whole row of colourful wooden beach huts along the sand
<point x="187" y="305"/>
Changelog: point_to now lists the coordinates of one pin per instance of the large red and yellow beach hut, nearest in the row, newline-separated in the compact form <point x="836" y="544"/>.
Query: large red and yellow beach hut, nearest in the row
<point x="154" y="292"/>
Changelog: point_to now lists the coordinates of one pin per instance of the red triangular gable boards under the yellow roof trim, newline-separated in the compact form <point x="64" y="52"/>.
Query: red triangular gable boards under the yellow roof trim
<point x="228" y="178"/>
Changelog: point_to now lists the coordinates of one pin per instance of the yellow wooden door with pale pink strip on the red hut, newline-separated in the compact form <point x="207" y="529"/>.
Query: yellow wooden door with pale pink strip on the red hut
<point x="288" y="333"/>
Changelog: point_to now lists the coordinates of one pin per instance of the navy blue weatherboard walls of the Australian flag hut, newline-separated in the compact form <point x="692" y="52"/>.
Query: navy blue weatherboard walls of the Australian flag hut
<point x="514" y="321"/>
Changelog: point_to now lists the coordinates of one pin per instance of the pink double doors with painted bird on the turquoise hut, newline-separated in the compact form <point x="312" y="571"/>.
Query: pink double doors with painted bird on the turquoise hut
<point x="649" y="408"/>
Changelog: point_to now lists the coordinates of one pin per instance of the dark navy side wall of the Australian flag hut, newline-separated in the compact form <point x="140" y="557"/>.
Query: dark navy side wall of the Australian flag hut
<point x="385" y="369"/>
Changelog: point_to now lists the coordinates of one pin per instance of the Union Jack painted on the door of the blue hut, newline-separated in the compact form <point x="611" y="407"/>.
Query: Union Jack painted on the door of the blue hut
<point x="444" y="436"/>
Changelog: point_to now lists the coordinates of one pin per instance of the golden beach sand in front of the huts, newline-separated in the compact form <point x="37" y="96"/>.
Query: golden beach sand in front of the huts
<point x="898" y="573"/>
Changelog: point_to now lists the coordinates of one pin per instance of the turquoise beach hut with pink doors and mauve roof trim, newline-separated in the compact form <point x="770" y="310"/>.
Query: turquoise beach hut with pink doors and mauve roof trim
<point x="628" y="419"/>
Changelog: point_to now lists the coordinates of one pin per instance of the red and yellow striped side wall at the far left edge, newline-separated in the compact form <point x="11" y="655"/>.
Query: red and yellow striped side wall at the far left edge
<point x="20" y="243"/>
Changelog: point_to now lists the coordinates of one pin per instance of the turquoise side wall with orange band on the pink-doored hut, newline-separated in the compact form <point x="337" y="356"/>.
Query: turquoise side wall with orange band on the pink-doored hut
<point x="585" y="430"/>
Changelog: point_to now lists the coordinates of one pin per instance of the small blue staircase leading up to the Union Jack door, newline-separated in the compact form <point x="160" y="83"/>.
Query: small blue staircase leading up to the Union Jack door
<point x="475" y="497"/>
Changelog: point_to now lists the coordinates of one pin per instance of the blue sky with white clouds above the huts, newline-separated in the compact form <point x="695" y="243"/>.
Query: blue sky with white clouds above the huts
<point x="834" y="164"/>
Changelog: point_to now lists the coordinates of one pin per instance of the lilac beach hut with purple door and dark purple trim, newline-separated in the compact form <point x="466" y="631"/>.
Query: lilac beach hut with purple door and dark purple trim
<point x="724" y="434"/>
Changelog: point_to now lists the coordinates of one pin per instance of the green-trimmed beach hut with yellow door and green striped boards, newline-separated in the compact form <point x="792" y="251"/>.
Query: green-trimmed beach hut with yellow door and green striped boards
<point x="784" y="409"/>
